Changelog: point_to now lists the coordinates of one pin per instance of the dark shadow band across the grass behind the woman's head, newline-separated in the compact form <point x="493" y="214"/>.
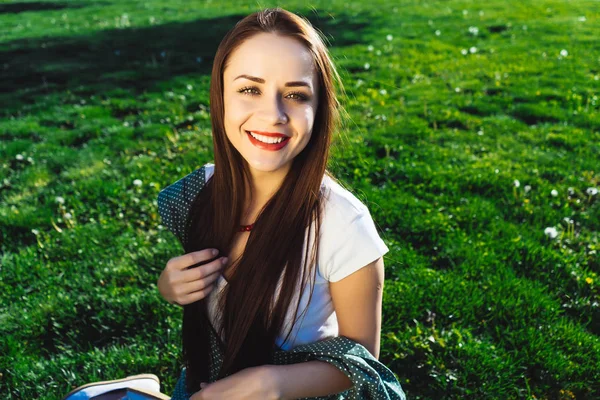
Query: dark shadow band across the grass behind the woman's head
<point x="127" y="59"/>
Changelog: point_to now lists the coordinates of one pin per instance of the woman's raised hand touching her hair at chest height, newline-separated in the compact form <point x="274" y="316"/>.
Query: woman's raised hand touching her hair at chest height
<point x="182" y="283"/>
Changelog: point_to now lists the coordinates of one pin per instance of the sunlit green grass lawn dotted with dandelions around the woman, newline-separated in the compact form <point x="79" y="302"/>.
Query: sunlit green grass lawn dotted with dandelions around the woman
<point x="478" y="303"/>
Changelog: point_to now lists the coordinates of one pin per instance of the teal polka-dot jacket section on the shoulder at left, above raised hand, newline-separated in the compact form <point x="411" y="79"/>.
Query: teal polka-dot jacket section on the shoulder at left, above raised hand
<point x="175" y="200"/>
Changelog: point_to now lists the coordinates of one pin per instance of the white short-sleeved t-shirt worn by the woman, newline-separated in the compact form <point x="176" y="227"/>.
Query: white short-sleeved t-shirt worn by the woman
<point x="348" y="242"/>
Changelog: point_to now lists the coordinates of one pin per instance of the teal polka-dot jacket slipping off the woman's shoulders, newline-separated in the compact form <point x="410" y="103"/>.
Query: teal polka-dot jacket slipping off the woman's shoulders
<point x="371" y="379"/>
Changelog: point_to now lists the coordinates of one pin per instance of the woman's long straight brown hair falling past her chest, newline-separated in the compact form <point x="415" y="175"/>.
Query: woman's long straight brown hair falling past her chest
<point x="252" y="313"/>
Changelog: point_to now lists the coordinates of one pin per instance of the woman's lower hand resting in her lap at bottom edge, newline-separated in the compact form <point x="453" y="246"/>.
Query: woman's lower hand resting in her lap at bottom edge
<point x="255" y="383"/>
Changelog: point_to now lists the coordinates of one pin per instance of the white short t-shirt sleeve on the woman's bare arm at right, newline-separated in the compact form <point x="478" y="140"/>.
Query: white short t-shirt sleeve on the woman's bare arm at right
<point x="353" y="246"/>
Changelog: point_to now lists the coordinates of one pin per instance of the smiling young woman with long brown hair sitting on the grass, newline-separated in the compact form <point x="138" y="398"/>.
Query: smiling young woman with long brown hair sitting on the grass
<point x="282" y="277"/>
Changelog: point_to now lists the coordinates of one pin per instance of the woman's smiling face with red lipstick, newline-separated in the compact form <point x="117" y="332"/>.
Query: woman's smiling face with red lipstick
<point x="270" y="86"/>
